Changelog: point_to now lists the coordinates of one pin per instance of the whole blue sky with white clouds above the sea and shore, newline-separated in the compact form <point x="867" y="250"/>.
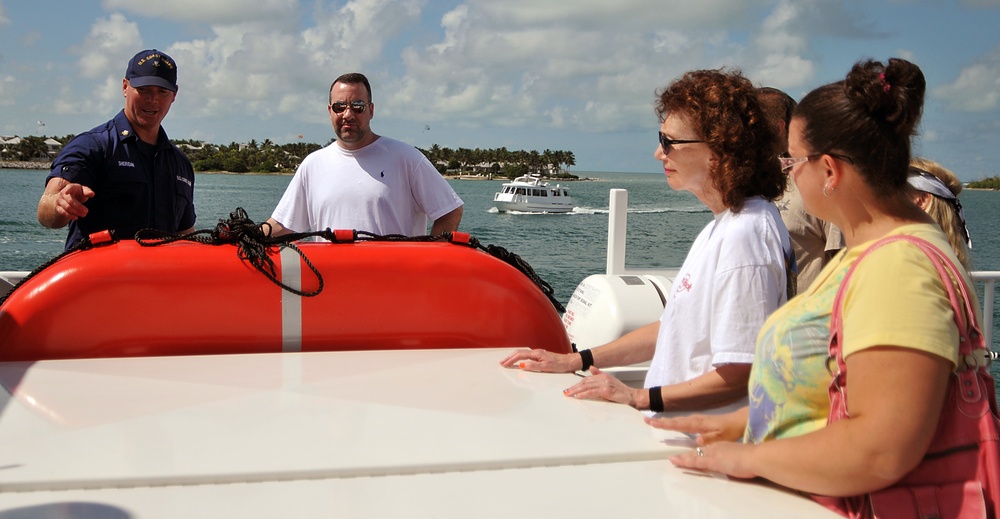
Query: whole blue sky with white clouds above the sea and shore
<point x="574" y="75"/>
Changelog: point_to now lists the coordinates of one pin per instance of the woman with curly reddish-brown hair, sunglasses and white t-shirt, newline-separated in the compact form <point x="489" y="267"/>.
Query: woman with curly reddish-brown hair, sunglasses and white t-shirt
<point x="716" y="142"/>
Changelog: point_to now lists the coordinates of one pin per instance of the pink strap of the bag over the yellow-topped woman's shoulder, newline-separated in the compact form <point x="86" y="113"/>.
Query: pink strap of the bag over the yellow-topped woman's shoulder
<point x="972" y="351"/>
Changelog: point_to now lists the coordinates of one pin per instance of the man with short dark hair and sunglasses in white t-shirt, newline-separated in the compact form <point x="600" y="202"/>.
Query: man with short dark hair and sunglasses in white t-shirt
<point x="364" y="181"/>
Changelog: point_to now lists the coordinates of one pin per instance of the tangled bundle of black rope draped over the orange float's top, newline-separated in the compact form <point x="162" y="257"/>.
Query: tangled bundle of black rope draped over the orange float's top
<point x="252" y="245"/>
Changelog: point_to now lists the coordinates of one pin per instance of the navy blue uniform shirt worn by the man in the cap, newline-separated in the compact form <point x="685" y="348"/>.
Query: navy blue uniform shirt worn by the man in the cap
<point x="136" y="185"/>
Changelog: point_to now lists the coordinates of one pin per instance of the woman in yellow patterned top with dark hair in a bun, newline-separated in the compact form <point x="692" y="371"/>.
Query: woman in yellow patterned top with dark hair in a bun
<point x="849" y="146"/>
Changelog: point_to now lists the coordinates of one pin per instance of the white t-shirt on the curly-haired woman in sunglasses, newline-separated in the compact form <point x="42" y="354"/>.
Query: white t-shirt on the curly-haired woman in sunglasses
<point x="732" y="279"/>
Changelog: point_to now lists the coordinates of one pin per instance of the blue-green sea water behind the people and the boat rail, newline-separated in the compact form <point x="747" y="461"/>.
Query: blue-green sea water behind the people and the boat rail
<point x="562" y="248"/>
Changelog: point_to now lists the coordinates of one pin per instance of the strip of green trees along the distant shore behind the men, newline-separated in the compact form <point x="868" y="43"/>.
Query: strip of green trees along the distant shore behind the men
<point x="268" y="157"/>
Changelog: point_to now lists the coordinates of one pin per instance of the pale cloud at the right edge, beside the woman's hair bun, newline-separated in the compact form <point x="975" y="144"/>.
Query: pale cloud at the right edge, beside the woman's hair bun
<point x="977" y="87"/>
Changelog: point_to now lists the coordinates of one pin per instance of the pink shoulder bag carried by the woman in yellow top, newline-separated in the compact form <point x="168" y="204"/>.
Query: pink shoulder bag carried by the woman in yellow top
<point x="959" y="476"/>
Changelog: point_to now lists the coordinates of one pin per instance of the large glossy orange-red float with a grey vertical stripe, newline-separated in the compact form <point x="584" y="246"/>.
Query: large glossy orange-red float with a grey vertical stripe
<point x="184" y="298"/>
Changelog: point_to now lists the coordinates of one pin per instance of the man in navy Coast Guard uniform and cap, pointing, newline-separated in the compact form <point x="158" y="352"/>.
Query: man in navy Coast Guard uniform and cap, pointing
<point x="124" y="175"/>
